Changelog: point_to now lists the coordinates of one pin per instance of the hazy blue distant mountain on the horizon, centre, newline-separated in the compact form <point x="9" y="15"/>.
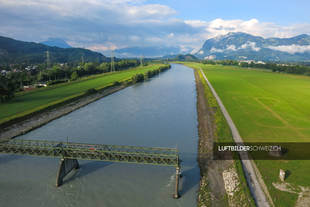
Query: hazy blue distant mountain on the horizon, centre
<point x="146" y="51"/>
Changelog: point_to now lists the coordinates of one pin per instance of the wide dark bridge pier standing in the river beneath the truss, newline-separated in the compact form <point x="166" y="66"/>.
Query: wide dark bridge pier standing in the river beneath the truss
<point x="66" y="166"/>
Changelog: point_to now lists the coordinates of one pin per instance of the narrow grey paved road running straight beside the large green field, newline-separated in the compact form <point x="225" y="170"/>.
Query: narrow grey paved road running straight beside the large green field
<point x="252" y="180"/>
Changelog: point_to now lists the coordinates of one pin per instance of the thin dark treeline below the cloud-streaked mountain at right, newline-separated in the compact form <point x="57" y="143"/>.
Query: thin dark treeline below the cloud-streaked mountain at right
<point x="285" y="68"/>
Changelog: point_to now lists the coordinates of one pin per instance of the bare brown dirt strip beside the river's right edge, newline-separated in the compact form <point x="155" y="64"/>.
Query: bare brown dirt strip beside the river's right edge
<point x="209" y="169"/>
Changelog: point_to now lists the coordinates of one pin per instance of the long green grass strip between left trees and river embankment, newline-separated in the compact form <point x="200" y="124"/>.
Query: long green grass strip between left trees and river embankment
<point x="31" y="101"/>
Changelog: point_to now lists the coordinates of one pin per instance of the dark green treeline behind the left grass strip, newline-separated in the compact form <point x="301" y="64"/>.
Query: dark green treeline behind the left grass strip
<point x="58" y="73"/>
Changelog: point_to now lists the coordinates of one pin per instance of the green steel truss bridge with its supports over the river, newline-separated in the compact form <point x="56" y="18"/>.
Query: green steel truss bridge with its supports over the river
<point x="70" y="152"/>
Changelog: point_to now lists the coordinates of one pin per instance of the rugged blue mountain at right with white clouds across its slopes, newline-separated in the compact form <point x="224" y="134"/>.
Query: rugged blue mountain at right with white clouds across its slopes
<point x="243" y="46"/>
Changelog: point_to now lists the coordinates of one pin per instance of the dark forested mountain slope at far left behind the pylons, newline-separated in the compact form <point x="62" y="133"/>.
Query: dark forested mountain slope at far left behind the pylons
<point x="15" y="51"/>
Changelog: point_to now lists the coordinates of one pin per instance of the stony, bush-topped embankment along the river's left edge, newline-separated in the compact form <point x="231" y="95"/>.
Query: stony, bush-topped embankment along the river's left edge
<point x="25" y="122"/>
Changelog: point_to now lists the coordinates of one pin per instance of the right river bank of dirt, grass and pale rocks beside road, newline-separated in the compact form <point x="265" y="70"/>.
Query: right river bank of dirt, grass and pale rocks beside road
<point x="222" y="182"/>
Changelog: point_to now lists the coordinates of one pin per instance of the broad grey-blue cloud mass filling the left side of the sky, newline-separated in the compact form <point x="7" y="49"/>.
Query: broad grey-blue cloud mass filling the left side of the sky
<point x="92" y="22"/>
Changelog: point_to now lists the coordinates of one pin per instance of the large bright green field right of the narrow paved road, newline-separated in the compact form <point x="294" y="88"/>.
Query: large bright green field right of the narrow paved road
<point x="268" y="107"/>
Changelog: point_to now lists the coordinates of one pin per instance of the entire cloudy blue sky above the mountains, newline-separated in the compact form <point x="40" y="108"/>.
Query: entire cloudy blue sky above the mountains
<point x="105" y="25"/>
